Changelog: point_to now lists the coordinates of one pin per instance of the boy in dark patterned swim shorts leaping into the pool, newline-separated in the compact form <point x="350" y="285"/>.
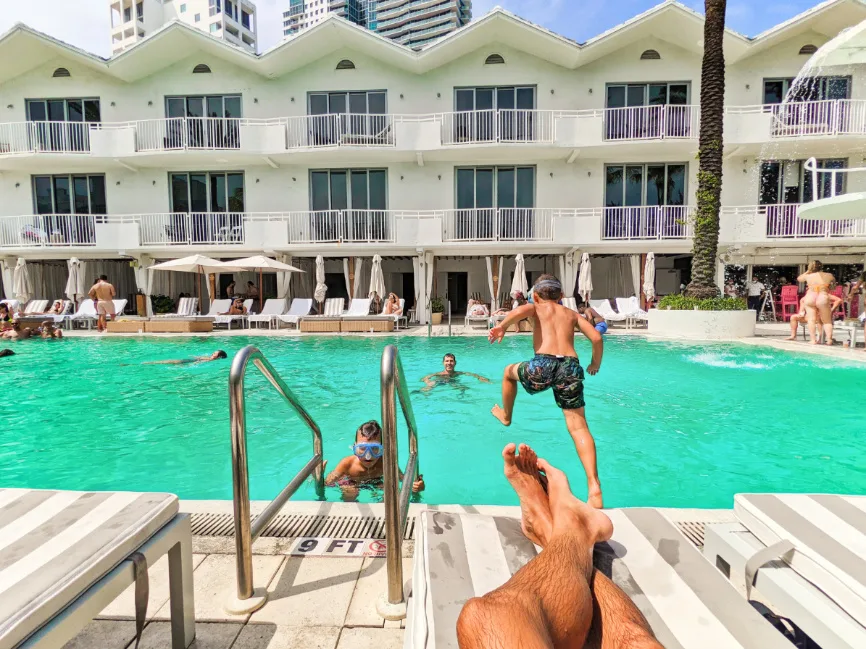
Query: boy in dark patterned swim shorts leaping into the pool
<point x="555" y="365"/>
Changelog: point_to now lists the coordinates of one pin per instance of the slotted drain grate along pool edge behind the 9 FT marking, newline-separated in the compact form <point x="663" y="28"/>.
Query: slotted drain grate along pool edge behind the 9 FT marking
<point x="295" y="525"/>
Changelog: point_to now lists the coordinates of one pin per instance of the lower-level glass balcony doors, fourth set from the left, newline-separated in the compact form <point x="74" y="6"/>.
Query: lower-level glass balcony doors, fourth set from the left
<point x="494" y="202"/>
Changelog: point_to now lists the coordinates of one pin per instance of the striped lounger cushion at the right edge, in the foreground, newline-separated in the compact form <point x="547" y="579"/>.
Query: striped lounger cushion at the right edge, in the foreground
<point x="829" y="537"/>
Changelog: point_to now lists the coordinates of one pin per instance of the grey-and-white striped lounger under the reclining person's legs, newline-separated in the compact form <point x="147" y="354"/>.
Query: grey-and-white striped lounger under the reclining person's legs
<point x="686" y="601"/>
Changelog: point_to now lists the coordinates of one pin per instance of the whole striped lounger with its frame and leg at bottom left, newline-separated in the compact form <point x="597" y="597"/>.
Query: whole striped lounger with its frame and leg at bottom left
<point x="67" y="554"/>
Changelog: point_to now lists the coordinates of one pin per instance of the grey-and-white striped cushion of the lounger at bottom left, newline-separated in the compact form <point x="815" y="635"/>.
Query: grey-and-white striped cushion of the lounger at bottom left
<point x="54" y="545"/>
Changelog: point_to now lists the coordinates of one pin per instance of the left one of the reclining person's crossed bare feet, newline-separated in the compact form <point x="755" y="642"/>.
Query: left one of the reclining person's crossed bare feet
<point x="522" y="472"/>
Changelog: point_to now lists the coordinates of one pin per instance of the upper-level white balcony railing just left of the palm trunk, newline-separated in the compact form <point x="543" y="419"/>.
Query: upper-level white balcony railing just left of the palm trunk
<point x="651" y="122"/>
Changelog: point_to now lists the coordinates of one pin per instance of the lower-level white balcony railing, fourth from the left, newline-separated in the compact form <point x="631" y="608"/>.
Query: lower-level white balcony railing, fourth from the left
<point x="499" y="224"/>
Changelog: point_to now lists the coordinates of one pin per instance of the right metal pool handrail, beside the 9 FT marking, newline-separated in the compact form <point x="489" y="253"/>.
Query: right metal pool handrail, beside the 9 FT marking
<point x="393" y="386"/>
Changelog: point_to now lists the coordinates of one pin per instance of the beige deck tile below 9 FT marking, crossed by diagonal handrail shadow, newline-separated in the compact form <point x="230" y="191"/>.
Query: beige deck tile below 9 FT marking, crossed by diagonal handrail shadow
<point x="310" y="592"/>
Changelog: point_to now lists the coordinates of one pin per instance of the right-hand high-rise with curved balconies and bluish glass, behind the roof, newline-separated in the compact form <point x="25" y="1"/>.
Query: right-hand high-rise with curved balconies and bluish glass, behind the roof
<point x="413" y="23"/>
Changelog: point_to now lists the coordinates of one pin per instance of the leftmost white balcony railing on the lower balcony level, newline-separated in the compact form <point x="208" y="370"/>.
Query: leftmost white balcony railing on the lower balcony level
<point x="48" y="230"/>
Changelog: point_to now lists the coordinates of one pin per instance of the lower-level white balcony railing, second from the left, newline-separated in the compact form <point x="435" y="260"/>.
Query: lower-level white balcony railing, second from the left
<point x="186" y="229"/>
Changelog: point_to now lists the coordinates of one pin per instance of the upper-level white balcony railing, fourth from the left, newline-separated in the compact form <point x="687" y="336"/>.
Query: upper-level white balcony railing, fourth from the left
<point x="492" y="126"/>
